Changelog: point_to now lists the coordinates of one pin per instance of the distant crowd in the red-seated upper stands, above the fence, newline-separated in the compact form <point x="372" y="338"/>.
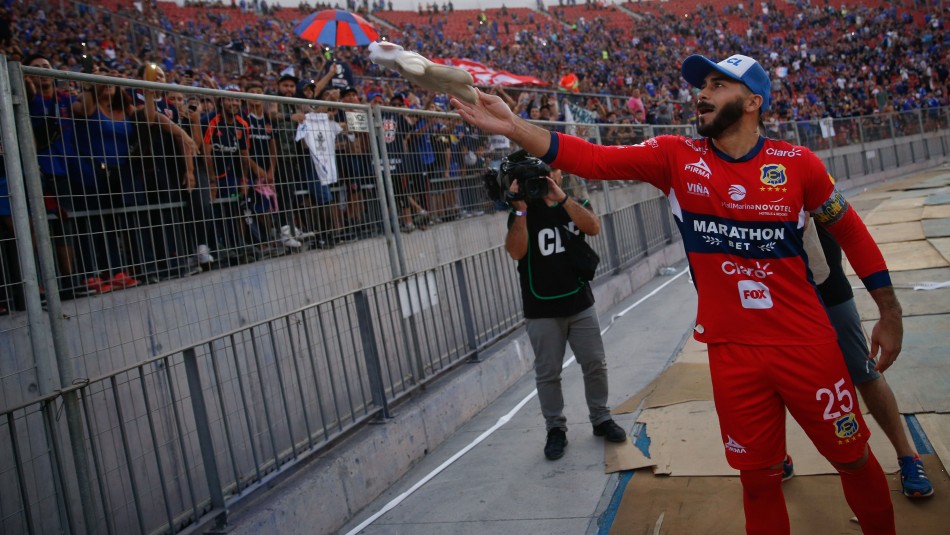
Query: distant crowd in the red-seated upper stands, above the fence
<point x="835" y="60"/>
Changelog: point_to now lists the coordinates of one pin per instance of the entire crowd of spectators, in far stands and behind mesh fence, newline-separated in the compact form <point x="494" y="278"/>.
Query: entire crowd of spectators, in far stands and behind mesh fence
<point x="106" y="149"/>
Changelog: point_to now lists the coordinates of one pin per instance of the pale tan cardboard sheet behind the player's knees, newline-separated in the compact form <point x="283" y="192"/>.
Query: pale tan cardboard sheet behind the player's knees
<point x="685" y="441"/>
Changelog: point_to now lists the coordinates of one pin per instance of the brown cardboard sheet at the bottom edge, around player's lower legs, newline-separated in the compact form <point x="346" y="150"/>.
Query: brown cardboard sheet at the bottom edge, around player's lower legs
<point x="816" y="505"/>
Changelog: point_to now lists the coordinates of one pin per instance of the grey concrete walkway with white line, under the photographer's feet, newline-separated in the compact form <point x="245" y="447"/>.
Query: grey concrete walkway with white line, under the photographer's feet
<point x="491" y="476"/>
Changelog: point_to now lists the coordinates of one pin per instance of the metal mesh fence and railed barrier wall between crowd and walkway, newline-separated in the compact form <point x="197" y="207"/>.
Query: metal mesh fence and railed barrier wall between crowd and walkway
<point x="156" y="408"/>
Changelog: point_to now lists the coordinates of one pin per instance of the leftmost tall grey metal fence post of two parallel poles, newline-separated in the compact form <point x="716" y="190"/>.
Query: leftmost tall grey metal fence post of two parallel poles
<point x="50" y="364"/>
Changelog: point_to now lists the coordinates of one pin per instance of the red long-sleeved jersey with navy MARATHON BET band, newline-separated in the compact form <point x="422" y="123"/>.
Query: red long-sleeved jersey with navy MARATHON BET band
<point x="742" y="222"/>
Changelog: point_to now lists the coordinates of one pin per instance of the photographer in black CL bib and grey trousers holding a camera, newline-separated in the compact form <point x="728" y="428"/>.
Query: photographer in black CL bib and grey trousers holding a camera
<point x="558" y="302"/>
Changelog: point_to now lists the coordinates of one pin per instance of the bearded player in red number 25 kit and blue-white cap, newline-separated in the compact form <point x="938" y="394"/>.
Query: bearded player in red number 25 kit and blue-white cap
<point x="741" y="202"/>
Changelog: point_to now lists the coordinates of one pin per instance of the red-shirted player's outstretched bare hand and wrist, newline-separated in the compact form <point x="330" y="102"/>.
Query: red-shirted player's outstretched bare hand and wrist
<point x="493" y="116"/>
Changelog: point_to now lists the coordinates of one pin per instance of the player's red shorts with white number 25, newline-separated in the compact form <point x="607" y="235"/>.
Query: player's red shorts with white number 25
<point x="753" y="385"/>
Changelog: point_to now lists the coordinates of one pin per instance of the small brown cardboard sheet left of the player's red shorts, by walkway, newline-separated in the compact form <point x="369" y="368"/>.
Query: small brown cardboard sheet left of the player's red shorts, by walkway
<point x="677" y="384"/>
